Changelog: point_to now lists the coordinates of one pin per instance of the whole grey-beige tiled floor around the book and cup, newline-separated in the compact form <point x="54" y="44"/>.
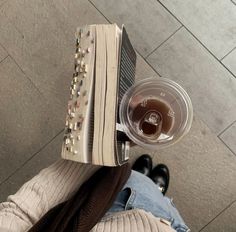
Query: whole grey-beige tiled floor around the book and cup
<point x="191" y="42"/>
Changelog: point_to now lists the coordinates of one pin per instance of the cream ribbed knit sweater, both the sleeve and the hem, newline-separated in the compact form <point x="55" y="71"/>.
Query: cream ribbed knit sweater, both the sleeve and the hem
<point x="56" y="184"/>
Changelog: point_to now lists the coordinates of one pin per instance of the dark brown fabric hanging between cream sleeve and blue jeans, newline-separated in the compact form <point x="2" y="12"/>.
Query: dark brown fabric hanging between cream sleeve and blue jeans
<point x="91" y="202"/>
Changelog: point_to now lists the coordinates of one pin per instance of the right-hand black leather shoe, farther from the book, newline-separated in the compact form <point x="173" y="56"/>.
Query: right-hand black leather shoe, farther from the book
<point x="161" y="176"/>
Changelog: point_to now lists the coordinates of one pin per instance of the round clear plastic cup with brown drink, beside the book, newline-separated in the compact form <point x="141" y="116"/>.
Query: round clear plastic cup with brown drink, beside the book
<point x="156" y="113"/>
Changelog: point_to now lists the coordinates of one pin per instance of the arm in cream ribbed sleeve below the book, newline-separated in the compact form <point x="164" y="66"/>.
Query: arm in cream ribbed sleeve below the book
<point x="50" y="187"/>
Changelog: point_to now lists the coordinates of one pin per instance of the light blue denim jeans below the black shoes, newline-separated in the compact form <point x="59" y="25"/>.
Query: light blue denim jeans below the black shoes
<point x="140" y="192"/>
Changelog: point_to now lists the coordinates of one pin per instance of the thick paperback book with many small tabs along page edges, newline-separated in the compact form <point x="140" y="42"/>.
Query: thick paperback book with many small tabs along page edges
<point x="104" y="70"/>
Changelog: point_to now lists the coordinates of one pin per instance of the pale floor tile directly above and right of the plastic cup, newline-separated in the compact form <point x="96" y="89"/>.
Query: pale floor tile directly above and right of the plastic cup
<point x="211" y="87"/>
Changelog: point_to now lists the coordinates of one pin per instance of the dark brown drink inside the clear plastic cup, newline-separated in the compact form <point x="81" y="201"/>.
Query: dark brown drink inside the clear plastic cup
<point x="163" y="111"/>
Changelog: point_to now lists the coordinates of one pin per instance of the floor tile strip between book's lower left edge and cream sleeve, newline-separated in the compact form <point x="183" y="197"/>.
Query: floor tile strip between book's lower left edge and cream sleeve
<point x="43" y="159"/>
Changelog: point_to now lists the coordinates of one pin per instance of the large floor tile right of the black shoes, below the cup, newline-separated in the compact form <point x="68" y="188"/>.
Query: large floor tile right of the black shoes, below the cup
<point x="202" y="175"/>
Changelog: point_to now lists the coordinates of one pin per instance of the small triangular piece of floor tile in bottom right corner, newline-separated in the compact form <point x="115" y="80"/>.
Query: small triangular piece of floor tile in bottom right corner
<point x="225" y="222"/>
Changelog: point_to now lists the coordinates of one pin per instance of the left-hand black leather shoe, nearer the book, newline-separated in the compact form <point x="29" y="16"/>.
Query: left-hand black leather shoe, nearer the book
<point x="143" y="164"/>
